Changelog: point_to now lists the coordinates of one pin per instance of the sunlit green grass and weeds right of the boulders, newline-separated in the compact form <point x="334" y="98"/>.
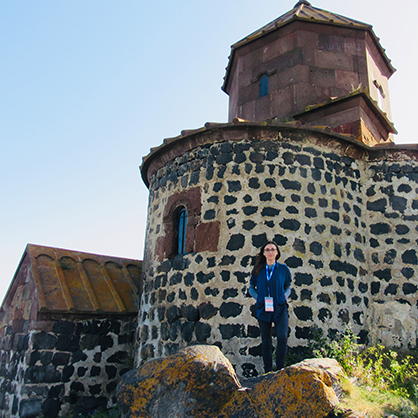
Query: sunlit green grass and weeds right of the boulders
<point x="380" y="382"/>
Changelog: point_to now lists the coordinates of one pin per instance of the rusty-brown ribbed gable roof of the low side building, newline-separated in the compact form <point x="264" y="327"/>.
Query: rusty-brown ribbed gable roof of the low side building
<point x="77" y="282"/>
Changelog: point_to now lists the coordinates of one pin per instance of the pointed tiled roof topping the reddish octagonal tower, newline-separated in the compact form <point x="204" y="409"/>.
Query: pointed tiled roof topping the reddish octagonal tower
<point x="304" y="11"/>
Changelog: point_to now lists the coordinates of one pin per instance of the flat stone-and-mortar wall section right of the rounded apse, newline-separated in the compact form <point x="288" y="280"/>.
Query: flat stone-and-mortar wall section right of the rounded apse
<point x="392" y="209"/>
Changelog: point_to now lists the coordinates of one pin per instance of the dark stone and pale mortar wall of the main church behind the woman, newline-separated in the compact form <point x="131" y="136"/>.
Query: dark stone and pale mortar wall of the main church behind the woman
<point x="344" y="216"/>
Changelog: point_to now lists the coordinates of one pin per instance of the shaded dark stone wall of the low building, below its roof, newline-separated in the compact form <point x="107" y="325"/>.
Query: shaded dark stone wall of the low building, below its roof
<point x="63" y="364"/>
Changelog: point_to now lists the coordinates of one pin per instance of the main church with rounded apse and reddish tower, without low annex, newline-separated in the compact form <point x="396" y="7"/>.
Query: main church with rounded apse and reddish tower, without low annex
<point x="306" y="160"/>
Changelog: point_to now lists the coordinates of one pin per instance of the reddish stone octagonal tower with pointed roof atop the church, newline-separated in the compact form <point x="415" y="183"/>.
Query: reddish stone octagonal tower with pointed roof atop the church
<point x="313" y="66"/>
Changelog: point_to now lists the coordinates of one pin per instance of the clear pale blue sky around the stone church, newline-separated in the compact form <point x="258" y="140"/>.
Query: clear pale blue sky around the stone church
<point x="87" y="87"/>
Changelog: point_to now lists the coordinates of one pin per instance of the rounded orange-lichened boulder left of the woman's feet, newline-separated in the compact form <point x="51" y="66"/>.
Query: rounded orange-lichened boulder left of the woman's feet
<point x="195" y="382"/>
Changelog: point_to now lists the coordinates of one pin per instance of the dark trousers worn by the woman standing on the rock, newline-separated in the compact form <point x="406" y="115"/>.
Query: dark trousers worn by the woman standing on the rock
<point x="282" y="327"/>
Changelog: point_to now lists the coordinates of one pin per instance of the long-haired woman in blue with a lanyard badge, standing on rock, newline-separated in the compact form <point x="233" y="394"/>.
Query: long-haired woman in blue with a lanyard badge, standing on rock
<point x="270" y="286"/>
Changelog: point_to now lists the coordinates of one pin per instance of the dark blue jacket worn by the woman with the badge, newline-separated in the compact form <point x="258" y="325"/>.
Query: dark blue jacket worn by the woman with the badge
<point x="278" y="287"/>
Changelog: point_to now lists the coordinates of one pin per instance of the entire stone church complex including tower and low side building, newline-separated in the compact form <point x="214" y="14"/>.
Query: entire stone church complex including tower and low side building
<point x="306" y="159"/>
